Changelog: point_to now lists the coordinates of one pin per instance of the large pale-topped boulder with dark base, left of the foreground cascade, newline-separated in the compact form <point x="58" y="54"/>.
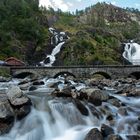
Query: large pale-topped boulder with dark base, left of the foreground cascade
<point x="20" y="103"/>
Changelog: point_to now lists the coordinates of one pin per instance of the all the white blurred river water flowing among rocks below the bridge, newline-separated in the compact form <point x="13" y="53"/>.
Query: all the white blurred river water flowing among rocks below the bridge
<point x="59" y="118"/>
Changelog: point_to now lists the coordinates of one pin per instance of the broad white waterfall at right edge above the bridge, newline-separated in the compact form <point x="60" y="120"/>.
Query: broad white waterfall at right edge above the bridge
<point x="132" y="53"/>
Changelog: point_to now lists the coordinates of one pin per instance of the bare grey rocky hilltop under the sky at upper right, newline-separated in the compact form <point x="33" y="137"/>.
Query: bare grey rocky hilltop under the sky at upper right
<point x="108" y="13"/>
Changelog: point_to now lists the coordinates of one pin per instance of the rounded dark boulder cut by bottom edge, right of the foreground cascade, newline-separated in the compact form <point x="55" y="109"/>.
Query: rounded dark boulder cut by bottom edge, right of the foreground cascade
<point x="94" y="134"/>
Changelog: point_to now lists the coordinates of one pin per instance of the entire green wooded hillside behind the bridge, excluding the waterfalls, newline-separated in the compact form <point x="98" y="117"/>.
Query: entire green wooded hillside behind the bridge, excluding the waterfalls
<point x="96" y="33"/>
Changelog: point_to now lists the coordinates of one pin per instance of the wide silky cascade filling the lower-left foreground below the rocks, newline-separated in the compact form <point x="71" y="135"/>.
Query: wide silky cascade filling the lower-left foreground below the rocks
<point x="64" y="122"/>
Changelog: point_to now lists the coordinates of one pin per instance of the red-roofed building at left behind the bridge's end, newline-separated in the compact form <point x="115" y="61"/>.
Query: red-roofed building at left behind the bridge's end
<point x="12" y="61"/>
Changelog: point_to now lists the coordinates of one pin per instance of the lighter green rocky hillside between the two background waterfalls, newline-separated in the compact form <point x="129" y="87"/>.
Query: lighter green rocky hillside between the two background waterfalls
<point x="97" y="34"/>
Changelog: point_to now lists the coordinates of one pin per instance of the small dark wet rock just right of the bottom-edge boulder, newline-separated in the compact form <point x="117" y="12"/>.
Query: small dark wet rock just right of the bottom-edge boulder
<point x="106" y="130"/>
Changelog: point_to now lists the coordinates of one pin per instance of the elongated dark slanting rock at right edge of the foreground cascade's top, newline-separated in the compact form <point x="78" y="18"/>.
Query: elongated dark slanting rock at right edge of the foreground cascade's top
<point x="80" y="106"/>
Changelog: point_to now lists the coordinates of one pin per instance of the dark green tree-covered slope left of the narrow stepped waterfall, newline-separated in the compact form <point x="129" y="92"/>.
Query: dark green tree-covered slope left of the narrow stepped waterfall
<point x="22" y="32"/>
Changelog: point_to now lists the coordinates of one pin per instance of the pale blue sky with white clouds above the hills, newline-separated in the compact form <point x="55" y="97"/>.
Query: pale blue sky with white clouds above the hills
<point x="72" y="5"/>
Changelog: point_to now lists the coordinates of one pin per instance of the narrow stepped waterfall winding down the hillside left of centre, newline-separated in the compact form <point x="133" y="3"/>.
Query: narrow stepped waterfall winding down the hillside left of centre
<point x="58" y="39"/>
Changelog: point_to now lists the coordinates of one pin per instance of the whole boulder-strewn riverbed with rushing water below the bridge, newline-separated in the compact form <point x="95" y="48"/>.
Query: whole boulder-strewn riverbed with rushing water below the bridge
<point x="67" y="108"/>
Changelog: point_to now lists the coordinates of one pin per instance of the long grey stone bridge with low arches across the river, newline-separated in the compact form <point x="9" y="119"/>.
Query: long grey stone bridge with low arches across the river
<point x="80" y="71"/>
